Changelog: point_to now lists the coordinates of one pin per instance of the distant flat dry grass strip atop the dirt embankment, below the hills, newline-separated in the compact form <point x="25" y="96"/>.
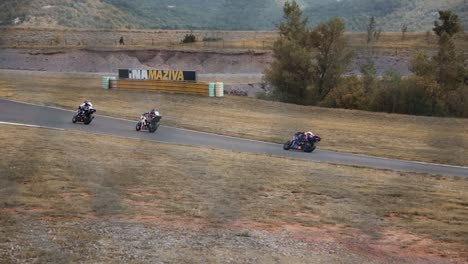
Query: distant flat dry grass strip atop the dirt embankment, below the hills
<point x="389" y="43"/>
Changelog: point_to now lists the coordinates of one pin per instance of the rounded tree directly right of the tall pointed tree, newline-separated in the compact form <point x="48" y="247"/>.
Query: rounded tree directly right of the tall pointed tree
<point x="333" y="56"/>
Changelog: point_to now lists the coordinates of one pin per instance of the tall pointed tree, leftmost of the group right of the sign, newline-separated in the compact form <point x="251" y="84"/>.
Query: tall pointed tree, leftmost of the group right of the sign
<point x="291" y="70"/>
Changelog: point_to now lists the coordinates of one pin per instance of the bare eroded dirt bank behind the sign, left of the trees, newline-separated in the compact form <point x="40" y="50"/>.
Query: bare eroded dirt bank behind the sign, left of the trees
<point x="88" y="60"/>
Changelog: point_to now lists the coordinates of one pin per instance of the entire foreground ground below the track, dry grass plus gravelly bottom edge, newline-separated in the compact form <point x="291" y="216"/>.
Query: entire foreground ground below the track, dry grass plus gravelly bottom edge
<point x="88" y="198"/>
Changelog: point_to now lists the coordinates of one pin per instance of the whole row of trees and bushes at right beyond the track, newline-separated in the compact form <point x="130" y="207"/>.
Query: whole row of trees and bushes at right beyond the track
<point x="309" y="66"/>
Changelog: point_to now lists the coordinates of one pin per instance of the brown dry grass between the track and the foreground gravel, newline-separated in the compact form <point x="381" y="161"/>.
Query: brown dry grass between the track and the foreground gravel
<point x="66" y="177"/>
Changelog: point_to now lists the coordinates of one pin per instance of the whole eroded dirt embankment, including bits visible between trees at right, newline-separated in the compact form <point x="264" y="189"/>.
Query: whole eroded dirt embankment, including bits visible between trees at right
<point x="242" y="71"/>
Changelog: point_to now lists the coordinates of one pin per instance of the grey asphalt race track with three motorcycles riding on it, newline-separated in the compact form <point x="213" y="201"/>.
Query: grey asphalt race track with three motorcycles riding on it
<point x="22" y="113"/>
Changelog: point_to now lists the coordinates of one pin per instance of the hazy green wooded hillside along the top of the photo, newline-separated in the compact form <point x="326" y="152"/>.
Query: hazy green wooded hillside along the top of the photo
<point x="221" y="14"/>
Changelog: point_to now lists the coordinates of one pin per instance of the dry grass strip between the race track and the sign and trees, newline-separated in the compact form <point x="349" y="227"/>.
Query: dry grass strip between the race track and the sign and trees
<point x="429" y="139"/>
